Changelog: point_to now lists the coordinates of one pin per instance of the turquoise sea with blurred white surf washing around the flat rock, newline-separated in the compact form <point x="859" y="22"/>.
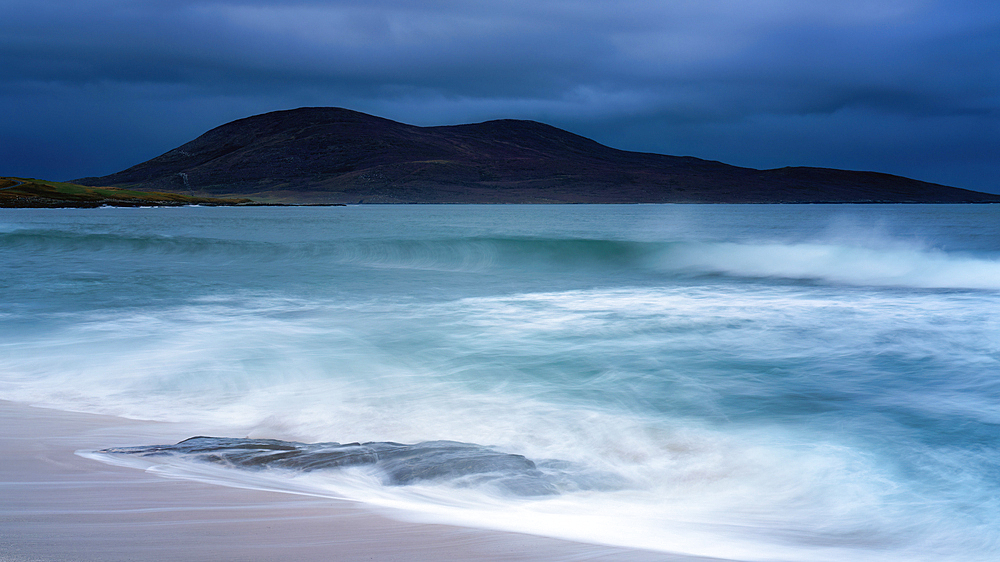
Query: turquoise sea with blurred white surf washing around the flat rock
<point x="750" y="382"/>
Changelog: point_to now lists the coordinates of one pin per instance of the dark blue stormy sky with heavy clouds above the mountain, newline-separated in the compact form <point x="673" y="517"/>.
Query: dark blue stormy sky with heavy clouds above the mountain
<point x="908" y="87"/>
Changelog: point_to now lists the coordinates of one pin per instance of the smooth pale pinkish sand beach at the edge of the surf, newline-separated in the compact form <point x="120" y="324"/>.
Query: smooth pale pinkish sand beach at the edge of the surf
<point x="55" y="505"/>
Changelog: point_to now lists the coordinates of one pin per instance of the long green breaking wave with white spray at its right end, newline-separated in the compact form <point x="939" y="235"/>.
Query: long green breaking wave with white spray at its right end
<point x="834" y="262"/>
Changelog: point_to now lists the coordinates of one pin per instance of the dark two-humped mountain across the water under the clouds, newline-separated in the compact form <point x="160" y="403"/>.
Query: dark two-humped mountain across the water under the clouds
<point x="334" y="155"/>
